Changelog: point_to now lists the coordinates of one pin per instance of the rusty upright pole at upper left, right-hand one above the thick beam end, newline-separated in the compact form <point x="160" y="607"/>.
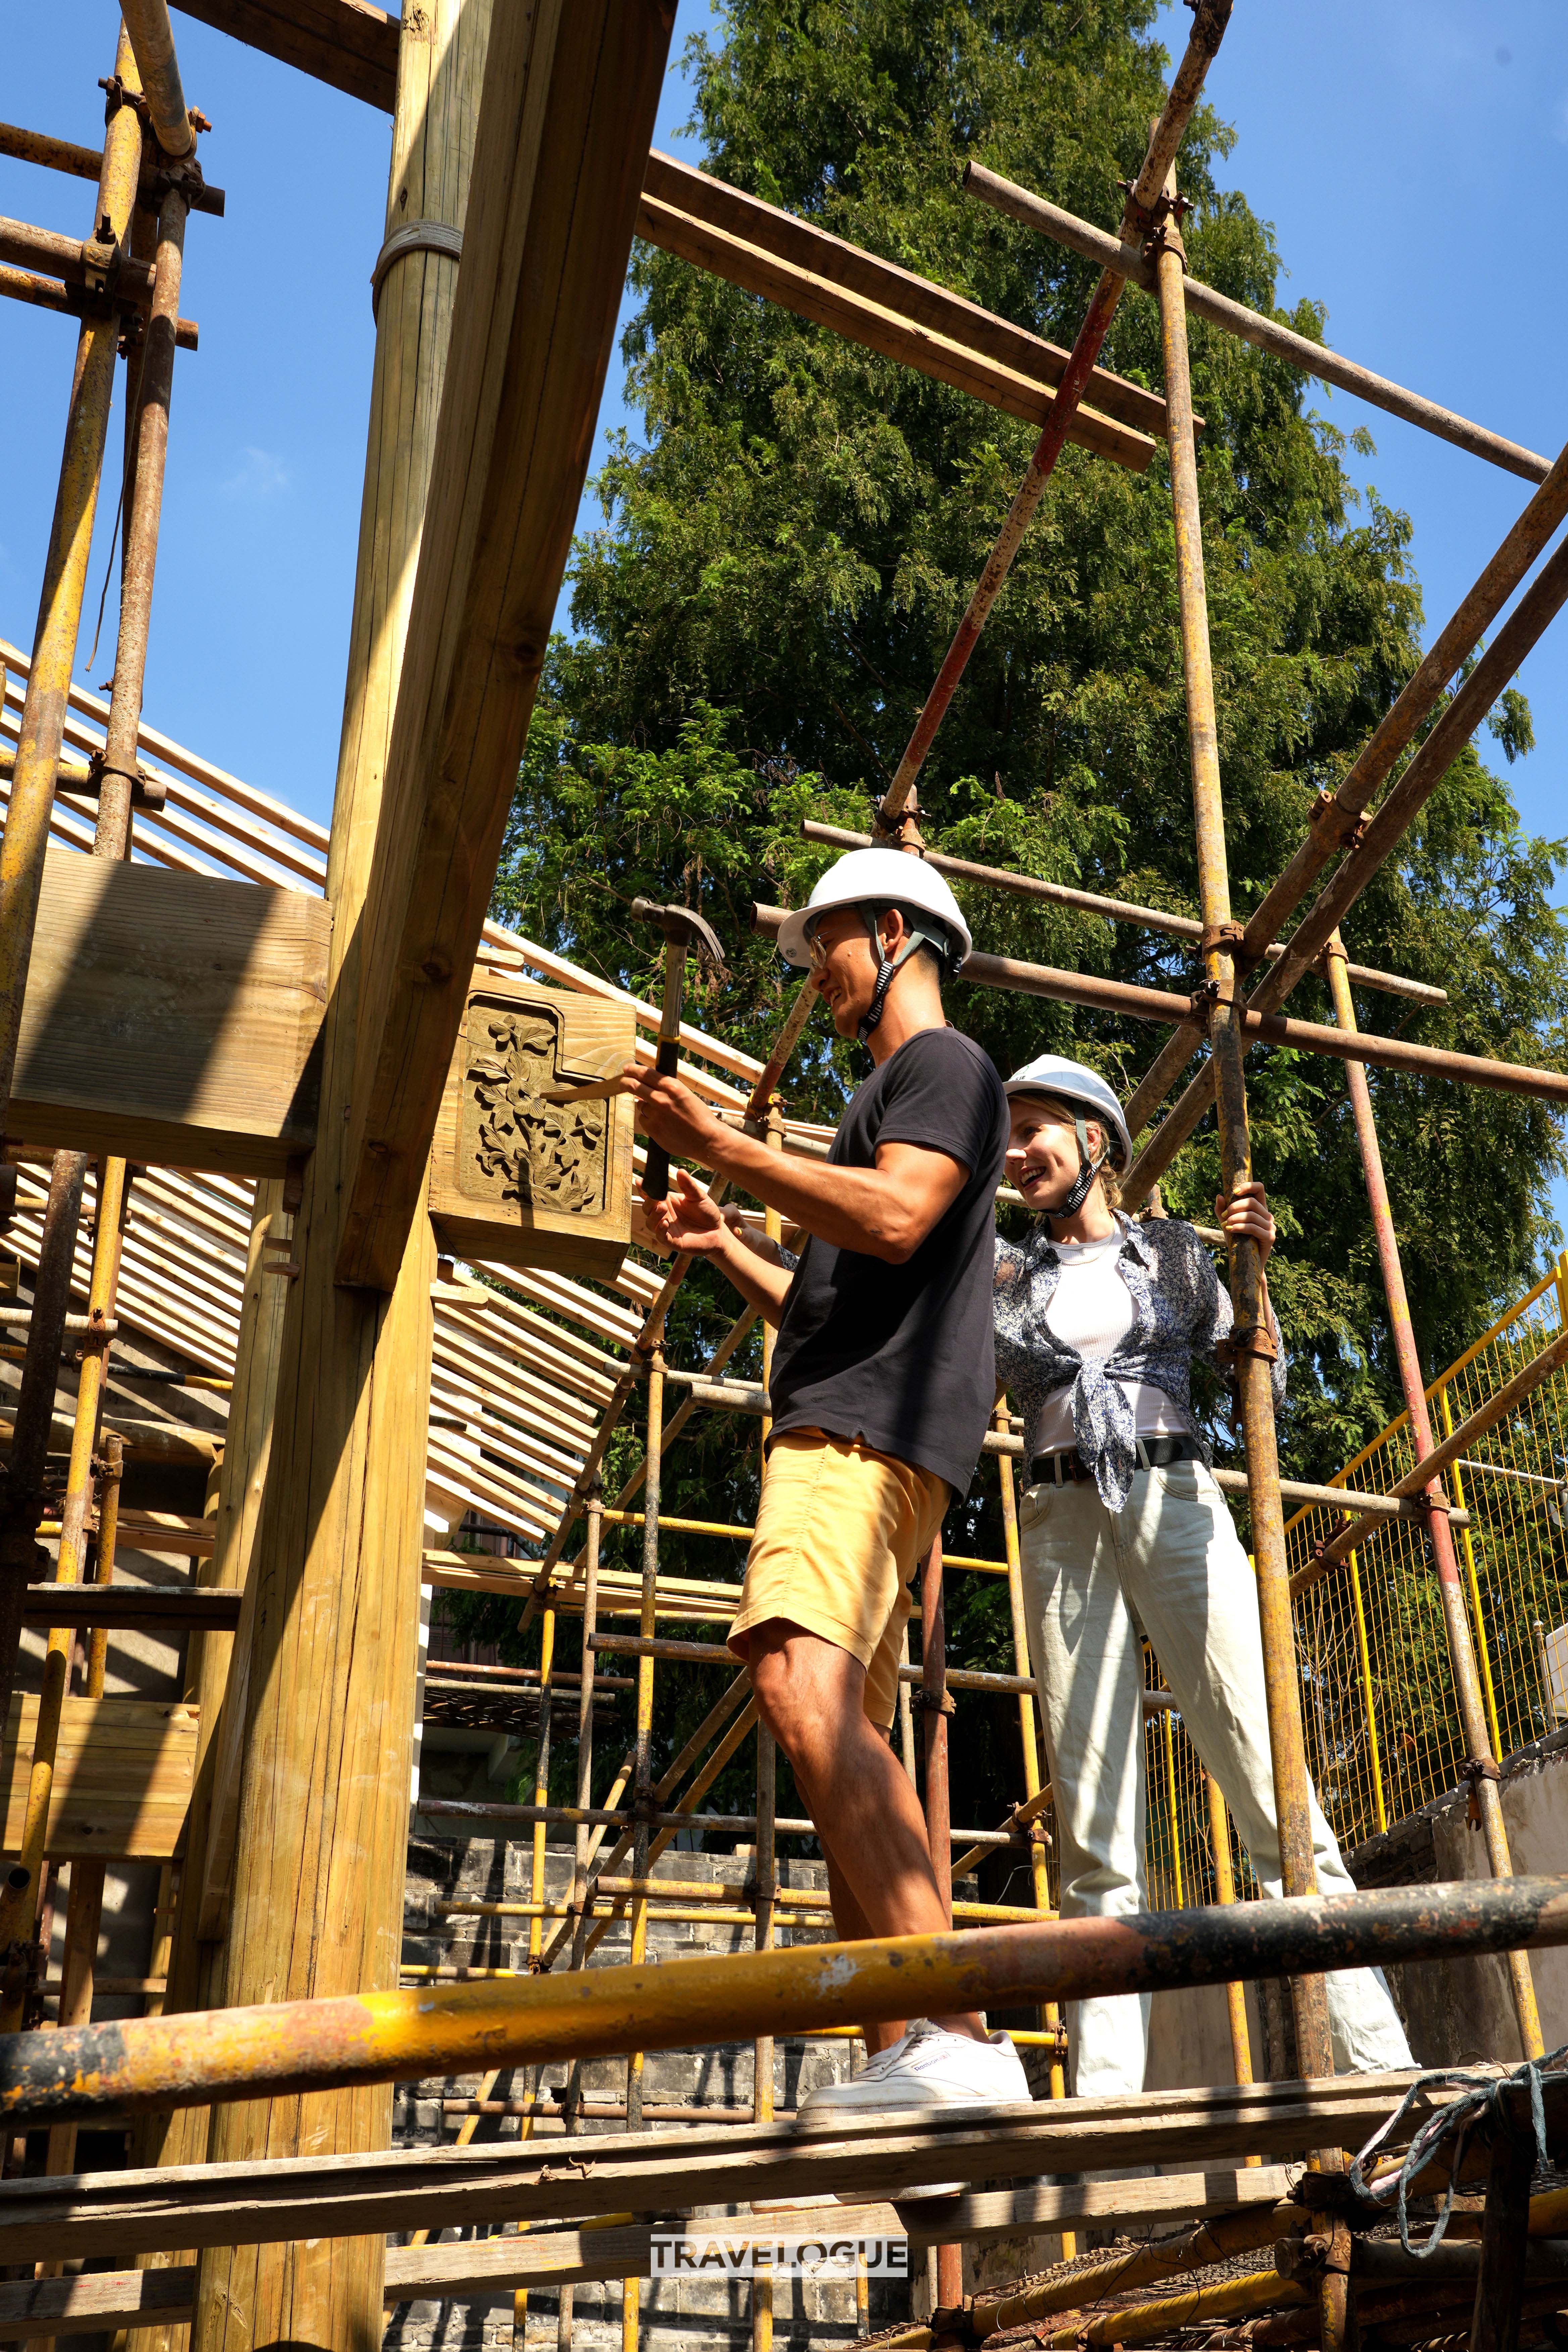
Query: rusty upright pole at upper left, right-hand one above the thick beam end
<point x="142" y="521"/>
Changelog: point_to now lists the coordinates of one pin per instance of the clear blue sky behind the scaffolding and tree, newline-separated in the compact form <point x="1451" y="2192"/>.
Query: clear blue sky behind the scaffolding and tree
<point x="1402" y="149"/>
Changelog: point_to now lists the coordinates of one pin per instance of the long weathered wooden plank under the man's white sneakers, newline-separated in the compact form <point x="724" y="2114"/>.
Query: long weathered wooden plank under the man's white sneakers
<point x="876" y="2160"/>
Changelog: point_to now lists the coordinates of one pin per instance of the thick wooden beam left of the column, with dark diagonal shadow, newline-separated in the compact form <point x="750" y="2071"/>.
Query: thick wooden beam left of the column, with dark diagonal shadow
<point x="170" y="1017"/>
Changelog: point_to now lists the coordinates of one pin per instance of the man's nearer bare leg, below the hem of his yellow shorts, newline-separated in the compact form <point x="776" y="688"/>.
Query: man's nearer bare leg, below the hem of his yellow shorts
<point x="812" y="1697"/>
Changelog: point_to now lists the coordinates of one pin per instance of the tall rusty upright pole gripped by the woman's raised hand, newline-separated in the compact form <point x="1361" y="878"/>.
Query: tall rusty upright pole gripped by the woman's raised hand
<point x="1254" y="1347"/>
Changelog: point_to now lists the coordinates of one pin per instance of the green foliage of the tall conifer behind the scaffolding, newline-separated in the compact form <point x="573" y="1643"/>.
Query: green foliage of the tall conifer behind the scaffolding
<point x="784" y="559"/>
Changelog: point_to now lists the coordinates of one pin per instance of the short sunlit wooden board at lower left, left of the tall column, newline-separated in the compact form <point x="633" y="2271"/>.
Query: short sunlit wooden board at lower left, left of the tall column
<point x="123" y="1777"/>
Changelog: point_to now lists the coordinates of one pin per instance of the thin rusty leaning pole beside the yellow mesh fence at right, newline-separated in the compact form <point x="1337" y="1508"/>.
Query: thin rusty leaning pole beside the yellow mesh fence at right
<point x="1482" y="1763"/>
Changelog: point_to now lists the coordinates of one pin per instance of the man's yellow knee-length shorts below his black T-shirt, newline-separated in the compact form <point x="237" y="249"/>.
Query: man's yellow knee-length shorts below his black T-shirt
<point x="840" y="1532"/>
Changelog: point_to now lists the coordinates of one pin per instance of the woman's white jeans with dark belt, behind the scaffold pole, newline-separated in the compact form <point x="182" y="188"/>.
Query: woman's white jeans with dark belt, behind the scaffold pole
<point x="1167" y="1565"/>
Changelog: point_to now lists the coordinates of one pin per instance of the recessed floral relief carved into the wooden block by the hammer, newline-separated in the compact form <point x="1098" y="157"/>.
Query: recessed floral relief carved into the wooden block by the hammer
<point x="511" y="1147"/>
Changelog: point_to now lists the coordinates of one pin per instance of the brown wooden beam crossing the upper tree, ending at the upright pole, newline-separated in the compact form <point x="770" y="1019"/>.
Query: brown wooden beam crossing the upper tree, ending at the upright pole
<point x="885" y="307"/>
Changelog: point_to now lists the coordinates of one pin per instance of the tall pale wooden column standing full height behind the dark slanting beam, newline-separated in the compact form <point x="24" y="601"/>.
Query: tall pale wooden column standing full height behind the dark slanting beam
<point x="335" y="1575"/>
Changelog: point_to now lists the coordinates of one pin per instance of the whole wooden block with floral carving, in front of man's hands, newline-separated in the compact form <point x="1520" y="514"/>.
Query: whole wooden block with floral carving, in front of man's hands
<point x="521" y="1180"/>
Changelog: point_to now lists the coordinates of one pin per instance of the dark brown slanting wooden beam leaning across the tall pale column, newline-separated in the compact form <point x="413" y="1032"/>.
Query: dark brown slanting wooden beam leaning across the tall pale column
<point x="570" y="102"/>
